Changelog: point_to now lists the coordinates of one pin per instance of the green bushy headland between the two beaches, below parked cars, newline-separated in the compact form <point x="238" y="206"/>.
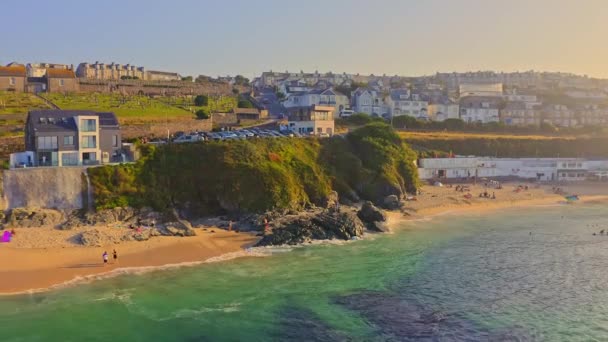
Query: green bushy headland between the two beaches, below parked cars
<point x="261" y="174"/>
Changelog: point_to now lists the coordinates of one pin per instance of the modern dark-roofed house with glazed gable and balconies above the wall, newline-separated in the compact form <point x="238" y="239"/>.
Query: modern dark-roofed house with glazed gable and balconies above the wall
<point x="69" y="138"/>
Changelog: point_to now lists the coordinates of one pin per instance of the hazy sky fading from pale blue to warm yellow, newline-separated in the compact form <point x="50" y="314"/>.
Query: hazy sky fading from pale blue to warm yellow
<point x="219" y="37"/>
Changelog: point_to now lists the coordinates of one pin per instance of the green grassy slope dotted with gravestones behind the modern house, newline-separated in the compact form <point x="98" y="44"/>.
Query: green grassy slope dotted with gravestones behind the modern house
<point x="133" y="107"/>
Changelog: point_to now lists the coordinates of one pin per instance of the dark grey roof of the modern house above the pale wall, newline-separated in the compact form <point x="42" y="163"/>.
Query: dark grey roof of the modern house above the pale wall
<point x="63" y="120"/>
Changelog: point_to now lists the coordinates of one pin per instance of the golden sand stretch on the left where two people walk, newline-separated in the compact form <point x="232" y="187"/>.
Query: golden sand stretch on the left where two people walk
<point x="33" y="269"/>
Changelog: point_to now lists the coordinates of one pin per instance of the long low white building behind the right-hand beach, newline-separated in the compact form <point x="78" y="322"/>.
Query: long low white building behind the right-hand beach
<point x="537" y="169"/>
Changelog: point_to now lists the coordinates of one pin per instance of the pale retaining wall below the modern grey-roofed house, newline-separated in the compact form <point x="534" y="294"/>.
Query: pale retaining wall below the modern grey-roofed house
<point x="55" y="187"/>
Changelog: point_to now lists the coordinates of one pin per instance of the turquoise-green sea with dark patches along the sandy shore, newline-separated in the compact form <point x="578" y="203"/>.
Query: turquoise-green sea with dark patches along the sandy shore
<point x="535" y="274"/>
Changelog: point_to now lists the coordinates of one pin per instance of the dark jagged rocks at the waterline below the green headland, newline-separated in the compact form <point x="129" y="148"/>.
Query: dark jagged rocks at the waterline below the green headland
<point x="325" y="225"/>
